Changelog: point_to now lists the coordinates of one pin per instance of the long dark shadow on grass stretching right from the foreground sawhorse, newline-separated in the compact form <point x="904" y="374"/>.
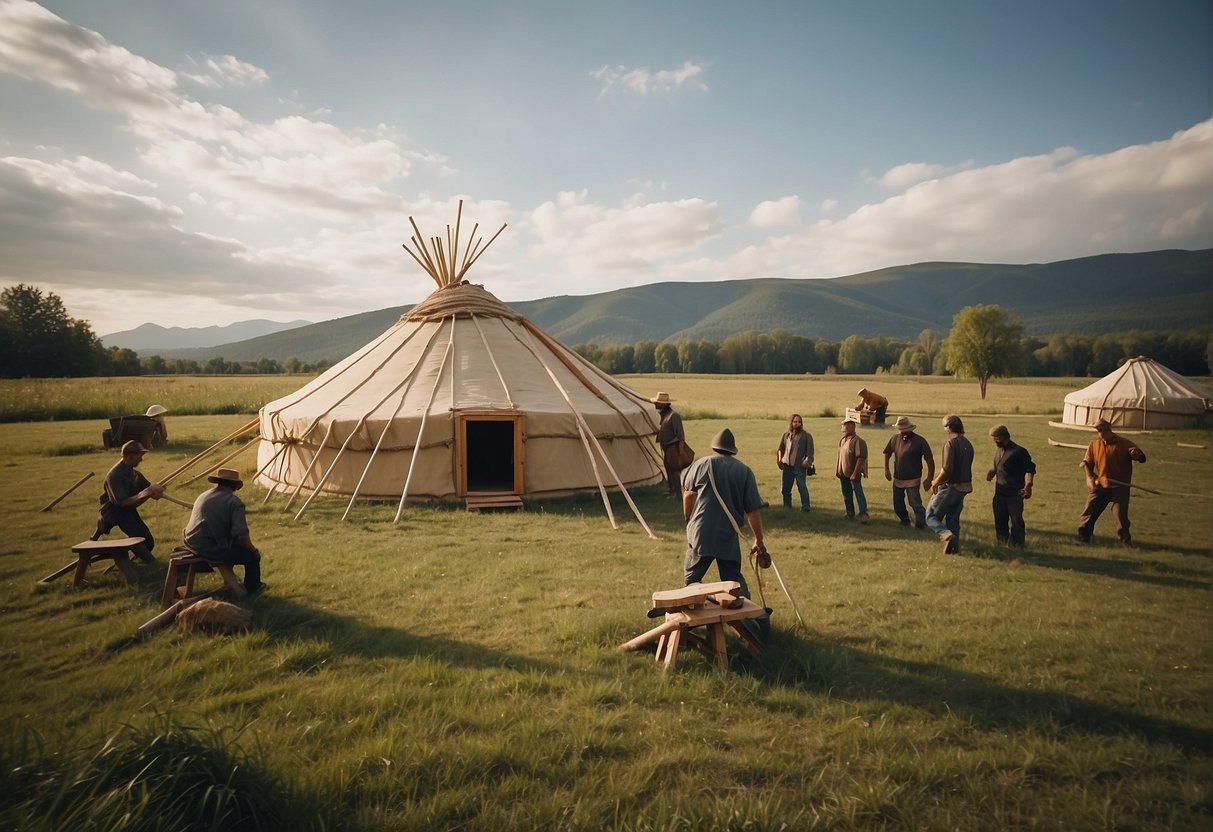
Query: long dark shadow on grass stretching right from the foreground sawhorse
<point x="859" y="676"/>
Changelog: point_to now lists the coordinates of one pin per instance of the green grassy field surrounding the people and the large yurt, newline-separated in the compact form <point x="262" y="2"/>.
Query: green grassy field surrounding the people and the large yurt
<point x="462" y="671"/>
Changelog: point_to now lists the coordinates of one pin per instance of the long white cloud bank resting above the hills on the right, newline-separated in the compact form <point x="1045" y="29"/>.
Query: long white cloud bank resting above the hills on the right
<point x="1034" y="209"/>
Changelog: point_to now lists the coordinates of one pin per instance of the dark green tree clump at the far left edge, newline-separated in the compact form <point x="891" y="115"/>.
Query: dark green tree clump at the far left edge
<point x="38" y="339"/>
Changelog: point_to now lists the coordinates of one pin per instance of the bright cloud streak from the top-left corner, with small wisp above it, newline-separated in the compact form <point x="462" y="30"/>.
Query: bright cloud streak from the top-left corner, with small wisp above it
<point x="292" y="164"/>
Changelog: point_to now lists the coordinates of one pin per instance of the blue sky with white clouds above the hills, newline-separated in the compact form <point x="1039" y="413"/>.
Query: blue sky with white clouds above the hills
<point x="204" y="163"/>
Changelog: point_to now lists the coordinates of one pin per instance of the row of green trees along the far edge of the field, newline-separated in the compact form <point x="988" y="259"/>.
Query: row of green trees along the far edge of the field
<point x="39" y="339"/>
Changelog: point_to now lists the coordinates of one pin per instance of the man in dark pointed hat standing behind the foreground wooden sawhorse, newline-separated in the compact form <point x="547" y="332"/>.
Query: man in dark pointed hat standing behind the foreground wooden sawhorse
<point x="716" y="487"/>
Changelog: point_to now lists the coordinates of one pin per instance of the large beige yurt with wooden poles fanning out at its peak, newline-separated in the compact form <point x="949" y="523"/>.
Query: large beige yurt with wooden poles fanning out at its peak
<point x="463" y="398"/>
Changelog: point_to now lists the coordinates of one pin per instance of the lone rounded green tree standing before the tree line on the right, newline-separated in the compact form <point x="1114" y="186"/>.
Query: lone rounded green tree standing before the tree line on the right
<point x="986" y="344"/>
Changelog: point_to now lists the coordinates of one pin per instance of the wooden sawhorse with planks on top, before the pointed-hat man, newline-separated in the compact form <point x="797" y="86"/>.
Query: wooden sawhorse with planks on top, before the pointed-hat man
<point x="711" y="606"/>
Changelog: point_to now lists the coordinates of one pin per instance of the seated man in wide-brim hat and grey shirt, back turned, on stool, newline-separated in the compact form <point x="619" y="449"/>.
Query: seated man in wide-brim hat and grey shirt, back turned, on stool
<point x="218" y="529"/>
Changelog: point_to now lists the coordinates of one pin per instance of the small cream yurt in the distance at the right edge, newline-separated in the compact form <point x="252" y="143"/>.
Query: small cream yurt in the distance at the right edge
<point x="1140" y="395"/>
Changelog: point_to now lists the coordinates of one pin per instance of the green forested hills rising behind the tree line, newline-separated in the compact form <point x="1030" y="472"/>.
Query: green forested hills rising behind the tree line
<point x="1159" y="290"/>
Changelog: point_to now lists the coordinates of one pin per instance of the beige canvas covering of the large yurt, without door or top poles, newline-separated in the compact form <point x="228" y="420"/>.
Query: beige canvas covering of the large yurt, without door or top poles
<point x="432" y="369"/>
